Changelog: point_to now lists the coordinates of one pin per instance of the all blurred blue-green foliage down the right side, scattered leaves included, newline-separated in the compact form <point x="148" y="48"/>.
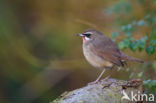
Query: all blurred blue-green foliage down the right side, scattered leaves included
<point x="146" y="42"/>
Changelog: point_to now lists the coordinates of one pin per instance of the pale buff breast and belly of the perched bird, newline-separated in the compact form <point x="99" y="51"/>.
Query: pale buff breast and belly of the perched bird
<point x="94" y="59"/>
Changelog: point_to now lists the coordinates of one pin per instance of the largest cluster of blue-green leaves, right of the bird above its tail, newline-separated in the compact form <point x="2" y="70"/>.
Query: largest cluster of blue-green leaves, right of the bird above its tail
<point x="148" y="42"/>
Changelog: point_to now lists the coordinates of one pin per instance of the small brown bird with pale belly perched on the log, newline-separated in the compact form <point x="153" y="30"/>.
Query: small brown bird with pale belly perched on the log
<point x="101" y="52"/>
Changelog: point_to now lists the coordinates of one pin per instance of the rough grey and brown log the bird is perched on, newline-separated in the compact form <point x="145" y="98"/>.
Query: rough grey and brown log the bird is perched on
<point x="106" y="91"/>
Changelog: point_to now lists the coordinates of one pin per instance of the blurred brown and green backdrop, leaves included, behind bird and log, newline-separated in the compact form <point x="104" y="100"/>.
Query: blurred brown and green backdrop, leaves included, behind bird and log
<point x="41" y="56"/>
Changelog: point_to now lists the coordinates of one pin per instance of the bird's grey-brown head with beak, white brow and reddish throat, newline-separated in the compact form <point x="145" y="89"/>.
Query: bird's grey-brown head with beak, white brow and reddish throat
<point x="89" y="35"/>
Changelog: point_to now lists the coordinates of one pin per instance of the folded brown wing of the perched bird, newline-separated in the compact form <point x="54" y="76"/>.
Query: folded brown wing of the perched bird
<point x="106" y="49"/>
